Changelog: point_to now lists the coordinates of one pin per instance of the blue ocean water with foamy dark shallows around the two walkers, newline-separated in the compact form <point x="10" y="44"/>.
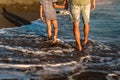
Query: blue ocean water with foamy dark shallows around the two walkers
<point x="22" y="51"/>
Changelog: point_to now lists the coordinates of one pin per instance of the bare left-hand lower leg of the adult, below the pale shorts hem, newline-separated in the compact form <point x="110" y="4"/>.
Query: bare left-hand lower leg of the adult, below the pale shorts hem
<point x="76" y="33"/>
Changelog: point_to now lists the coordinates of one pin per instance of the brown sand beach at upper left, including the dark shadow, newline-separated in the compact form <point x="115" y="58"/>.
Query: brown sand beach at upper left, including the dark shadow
<point x="16" y="14"/>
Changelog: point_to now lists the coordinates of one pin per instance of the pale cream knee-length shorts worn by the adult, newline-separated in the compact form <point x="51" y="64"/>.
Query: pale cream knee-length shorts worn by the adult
<point x="75" y="12"/>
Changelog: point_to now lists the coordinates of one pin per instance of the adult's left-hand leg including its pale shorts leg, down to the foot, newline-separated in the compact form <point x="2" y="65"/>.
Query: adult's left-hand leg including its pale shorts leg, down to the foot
<point x="75" y="17"/>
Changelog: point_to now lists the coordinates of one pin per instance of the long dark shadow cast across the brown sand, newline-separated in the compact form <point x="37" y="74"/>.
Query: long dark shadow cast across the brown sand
<point x="14" y="19"/>
